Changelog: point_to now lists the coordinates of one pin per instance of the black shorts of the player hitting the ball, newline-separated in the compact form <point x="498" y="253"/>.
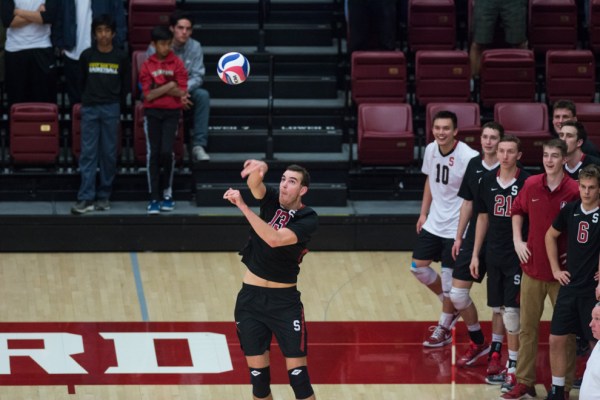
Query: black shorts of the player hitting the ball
<point x="261" y="313"/>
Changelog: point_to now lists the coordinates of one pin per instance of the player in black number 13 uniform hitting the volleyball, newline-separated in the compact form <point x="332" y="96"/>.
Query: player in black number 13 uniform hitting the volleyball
<point x="269" y="302"/>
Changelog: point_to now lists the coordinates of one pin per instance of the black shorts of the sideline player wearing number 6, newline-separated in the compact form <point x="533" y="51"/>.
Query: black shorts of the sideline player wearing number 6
<point x="572" y="314"/>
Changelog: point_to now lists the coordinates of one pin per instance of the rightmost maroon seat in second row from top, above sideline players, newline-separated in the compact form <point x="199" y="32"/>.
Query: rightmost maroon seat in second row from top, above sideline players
<point x="570" y="74"/>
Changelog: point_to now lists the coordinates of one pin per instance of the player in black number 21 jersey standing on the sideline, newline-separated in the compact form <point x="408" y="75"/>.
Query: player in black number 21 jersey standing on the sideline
<point x="497" y="192"/>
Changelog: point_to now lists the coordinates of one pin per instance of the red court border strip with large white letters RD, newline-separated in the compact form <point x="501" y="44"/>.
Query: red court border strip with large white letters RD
<point x="339" y="353"/>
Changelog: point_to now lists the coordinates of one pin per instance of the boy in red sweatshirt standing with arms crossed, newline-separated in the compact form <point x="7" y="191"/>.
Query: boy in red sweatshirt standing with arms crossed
<point x="164" y="82"/>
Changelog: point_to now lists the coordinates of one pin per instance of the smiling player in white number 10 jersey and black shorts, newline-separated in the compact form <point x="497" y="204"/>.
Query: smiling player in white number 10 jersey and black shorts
<point x="444" y="163"/>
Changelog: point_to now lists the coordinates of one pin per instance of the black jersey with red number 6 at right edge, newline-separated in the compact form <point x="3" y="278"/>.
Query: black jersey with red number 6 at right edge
<point x="583" y="245"/>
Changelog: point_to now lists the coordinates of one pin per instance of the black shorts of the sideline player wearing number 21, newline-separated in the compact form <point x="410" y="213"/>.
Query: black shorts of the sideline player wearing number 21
<point x="504" y="281"/>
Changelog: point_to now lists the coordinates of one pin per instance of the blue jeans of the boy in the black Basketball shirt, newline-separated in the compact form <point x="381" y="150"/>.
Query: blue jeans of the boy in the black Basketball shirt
<point x="99" y="133"/>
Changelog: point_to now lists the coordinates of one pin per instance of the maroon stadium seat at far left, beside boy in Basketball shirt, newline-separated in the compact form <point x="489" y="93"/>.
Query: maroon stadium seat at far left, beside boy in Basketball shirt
<point x="34" y="133"/>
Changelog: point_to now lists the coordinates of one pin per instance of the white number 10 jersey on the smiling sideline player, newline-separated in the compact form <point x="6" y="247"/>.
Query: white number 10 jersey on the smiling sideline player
<point x="445" y="174"/>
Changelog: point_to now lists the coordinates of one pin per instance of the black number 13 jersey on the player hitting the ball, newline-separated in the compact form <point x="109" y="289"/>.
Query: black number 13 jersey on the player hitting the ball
<point x="279" y="264"/>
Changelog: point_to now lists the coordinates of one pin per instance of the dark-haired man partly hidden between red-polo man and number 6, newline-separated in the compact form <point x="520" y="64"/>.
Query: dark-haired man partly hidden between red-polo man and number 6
<point x="574" y="135"/>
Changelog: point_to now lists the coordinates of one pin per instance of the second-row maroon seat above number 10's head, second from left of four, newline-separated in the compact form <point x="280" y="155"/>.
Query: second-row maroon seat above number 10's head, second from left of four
<point x="442" y="76"/>
